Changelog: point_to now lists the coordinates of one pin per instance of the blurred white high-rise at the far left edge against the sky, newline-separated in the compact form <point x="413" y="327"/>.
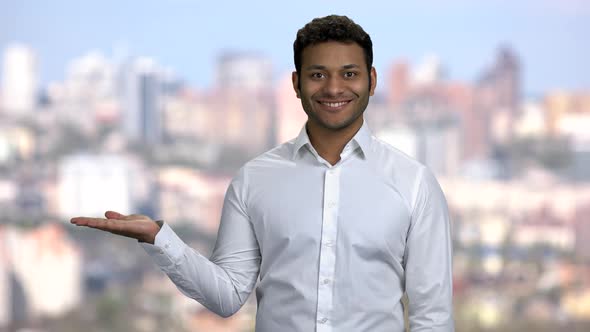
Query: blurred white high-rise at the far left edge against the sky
<point x="19" y="80"/>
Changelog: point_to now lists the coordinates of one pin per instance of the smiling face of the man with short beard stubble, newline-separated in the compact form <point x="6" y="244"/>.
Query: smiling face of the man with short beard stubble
<point x="334" y="84"/>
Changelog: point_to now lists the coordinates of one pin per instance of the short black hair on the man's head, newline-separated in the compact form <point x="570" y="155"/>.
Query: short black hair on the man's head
<point x="332" y="28"/>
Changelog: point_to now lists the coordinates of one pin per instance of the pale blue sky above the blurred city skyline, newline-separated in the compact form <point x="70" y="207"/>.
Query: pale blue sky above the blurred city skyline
<point x="551" y="37"/>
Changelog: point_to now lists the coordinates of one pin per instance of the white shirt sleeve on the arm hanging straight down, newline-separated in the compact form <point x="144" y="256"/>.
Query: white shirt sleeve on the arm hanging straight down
<point x="428" y="259"/>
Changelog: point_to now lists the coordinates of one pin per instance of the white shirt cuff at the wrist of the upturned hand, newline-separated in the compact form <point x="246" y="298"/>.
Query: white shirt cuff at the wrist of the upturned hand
<point x="167" y="248"/>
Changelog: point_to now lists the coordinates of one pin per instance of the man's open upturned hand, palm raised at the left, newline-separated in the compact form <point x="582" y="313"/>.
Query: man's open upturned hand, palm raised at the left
<point x="135" y="226"/>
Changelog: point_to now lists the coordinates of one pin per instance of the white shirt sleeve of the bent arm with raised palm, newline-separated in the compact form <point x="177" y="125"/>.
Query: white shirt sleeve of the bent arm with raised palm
<point x="223" y="282"/>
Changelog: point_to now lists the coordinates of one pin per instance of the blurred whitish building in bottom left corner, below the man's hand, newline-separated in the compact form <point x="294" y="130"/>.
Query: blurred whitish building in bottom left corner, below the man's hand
<point x="27" y="255"/>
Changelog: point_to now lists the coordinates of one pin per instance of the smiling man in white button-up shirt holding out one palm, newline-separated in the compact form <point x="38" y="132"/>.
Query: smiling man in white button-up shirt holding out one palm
<point x="335" y="224"/>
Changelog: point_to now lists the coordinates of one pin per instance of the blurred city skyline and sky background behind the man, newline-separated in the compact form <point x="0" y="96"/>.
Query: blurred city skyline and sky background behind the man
<point x="152" y="106"/>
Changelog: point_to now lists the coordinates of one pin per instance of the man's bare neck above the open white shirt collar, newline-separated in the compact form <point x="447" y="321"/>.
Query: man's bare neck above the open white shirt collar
<point x="330" y="143"/>
